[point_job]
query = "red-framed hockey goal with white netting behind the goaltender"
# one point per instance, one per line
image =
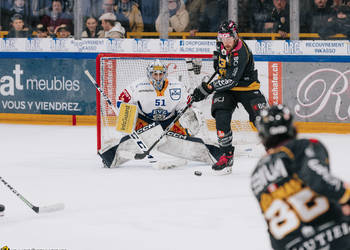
(114, 71)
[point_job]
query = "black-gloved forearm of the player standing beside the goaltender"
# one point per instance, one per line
(205, 88)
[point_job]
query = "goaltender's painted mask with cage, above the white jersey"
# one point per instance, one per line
(157, 73)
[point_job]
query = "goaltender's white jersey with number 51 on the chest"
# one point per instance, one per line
(156, 105)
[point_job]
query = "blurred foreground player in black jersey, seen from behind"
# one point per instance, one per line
(304, 205)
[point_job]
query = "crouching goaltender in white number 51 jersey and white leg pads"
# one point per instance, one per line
(159, 99)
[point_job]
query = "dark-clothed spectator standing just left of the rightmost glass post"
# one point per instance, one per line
(280, 17)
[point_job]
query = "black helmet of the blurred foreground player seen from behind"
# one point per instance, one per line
(275, 124)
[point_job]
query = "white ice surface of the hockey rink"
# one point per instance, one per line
(132, 207)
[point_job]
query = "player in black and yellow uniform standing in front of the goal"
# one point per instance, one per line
(238, 83)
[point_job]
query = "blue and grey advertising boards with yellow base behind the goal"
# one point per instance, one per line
(49, 87)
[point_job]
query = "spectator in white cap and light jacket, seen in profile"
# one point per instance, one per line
(111, 28)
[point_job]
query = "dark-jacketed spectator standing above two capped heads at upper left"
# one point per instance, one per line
(56, 17)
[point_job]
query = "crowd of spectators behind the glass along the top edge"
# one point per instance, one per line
(115, 18)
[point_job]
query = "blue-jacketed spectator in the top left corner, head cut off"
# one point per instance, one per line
(18, 7)
